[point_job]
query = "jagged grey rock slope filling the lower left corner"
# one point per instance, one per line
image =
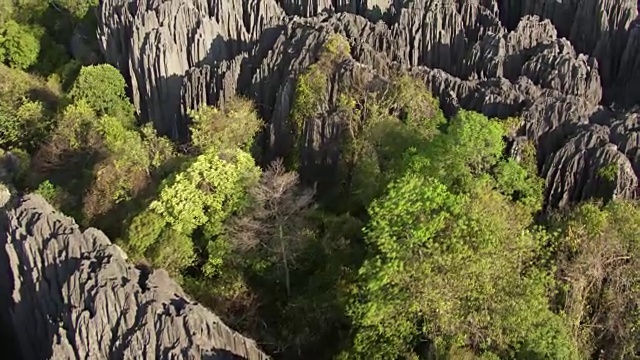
(70, 294)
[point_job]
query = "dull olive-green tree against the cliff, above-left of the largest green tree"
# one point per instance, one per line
(381, 126)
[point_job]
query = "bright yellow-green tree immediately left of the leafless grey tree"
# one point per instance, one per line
(203, 196)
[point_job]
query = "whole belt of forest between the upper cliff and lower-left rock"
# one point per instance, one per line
(426, 242)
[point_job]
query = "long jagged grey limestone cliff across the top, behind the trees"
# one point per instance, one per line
(569, 69)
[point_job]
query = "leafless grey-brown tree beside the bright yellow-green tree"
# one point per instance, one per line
(277, 218)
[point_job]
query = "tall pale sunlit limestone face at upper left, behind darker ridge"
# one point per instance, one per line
(155, 42)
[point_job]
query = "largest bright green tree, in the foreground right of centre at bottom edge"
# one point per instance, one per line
(453, 269)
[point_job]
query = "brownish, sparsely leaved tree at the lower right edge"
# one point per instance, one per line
(601, 269)
